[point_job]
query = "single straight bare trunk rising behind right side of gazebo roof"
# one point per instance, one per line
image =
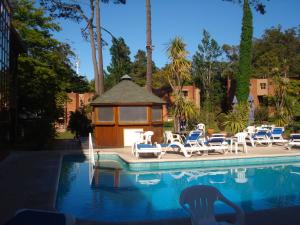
(149, 47)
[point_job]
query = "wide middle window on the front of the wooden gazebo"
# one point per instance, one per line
(136, 114)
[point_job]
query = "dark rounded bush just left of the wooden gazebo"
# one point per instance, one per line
(79, 123)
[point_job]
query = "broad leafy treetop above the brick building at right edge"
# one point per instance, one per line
(277, 53)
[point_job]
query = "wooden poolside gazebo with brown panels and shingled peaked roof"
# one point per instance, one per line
(123, 112)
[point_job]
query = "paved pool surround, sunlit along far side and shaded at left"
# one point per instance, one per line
(30, 180)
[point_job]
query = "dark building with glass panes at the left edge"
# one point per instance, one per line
(10, 48)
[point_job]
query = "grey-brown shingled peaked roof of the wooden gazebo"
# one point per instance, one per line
(127, 92)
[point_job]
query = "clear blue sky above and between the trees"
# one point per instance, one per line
(171, 18)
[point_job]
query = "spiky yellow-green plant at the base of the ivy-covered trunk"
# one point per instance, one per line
(237, 119)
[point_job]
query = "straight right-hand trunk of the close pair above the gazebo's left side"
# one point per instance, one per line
(99, 45)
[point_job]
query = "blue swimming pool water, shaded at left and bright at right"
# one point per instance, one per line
(121, 194)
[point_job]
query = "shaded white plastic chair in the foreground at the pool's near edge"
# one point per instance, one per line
(199, 202)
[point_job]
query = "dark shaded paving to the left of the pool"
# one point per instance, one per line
(28, 180)
